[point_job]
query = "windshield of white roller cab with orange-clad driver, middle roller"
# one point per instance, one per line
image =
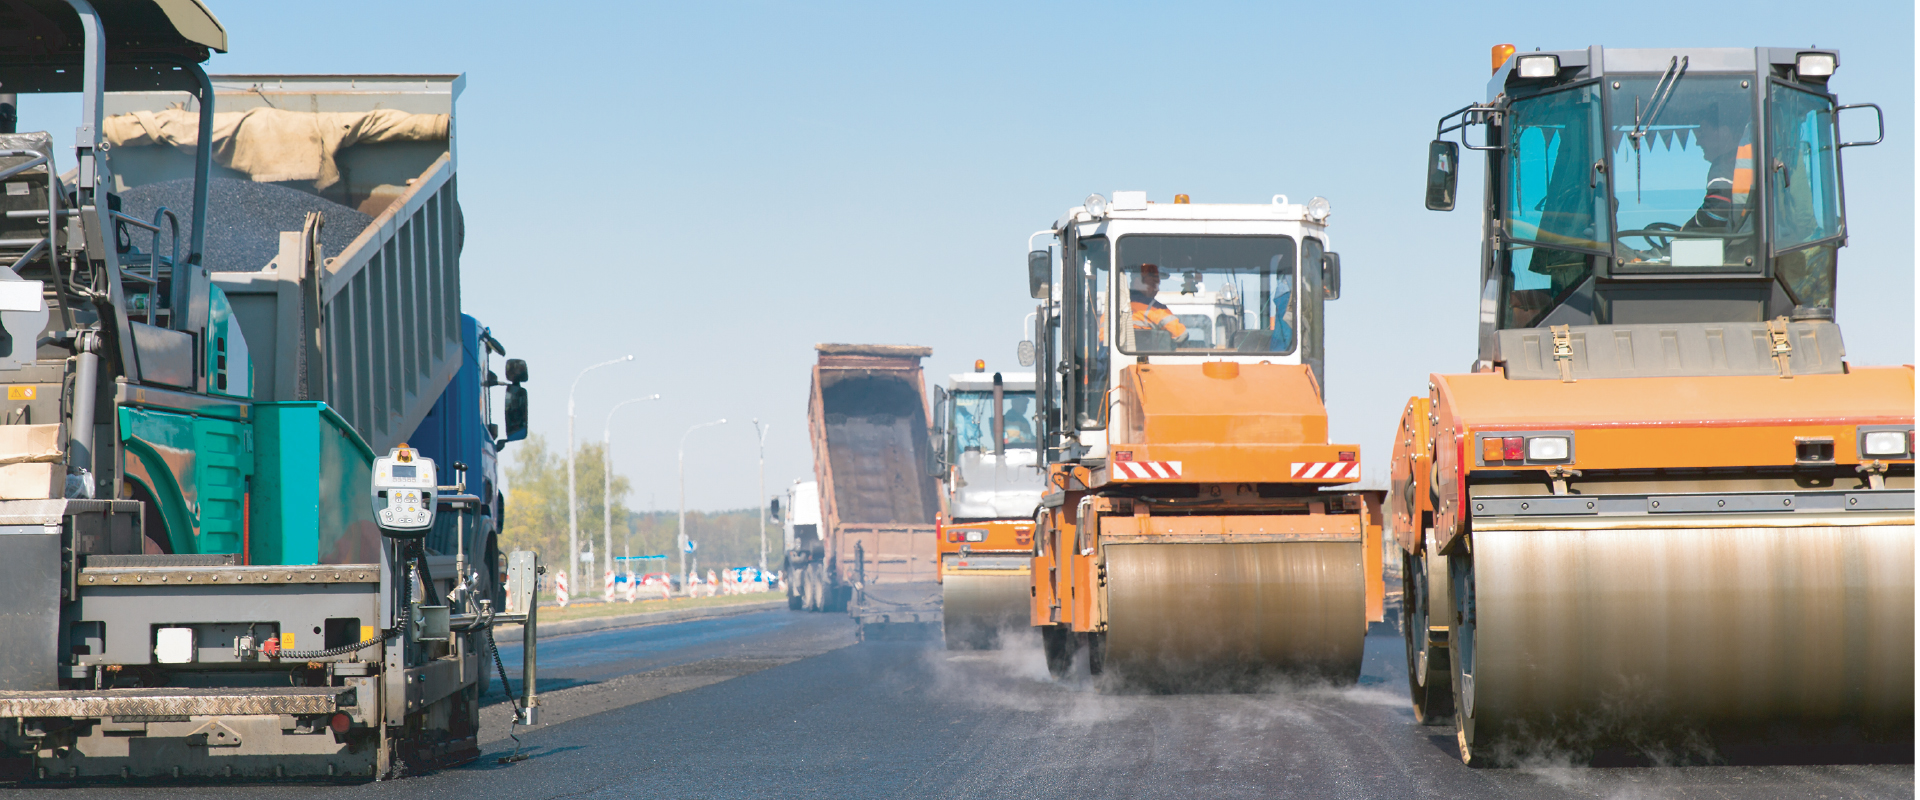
(1207, 294)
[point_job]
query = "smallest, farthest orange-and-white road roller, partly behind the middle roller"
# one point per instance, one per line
(986, 456)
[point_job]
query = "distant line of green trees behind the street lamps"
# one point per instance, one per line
(537, 515)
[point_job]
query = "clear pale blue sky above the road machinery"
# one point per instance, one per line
(717, 187)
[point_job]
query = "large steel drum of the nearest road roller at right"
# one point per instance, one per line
(1623, 634)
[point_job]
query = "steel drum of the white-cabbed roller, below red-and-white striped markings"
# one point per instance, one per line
(1218, 617)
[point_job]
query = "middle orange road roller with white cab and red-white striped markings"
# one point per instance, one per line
(1193, 534)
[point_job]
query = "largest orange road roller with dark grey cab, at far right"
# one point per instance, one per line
(1662, 509)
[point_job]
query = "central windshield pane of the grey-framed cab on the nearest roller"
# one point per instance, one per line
(1683, 153)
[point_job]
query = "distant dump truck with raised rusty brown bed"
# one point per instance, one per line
(875, 553)
